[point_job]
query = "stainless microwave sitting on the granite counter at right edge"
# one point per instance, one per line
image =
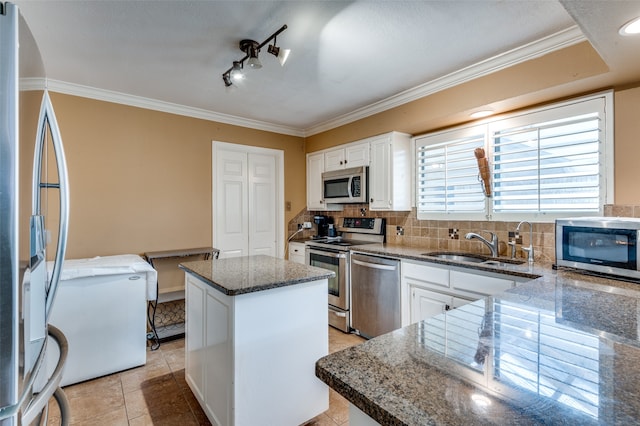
(600, 244)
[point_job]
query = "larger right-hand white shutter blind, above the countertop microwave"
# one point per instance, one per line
(549, 165)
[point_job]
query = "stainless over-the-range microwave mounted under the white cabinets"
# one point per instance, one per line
(346, 186)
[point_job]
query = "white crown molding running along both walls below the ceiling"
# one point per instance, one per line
(513, 57)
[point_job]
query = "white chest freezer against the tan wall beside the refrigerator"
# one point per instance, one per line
(101, 307)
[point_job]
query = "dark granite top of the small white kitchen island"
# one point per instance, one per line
(239, 275)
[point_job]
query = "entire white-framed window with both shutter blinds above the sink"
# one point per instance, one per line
(546, 163)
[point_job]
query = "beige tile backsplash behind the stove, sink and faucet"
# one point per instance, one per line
(404, 228)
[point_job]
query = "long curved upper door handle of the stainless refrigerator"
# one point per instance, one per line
(48, 120)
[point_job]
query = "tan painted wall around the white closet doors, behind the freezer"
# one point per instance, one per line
(140, 180)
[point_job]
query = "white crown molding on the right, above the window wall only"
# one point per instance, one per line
(538, 48)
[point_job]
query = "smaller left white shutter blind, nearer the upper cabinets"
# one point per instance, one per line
(447, 172)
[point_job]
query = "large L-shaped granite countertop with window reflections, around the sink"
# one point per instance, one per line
(563, 348)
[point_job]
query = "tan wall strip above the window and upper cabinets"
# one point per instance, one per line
(543, 79)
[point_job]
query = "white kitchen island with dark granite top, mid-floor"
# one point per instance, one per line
(255, 326)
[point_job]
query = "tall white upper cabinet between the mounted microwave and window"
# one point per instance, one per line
(390, 172)
